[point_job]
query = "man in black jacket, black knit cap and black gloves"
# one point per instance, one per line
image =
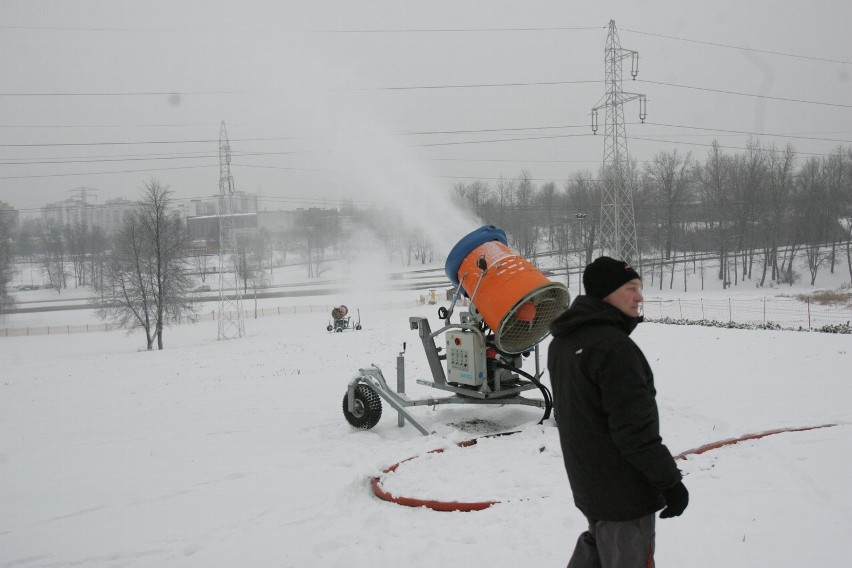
(604, 399)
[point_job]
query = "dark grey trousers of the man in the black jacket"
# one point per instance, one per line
(608, 544)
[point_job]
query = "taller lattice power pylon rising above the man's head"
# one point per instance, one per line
(618, 221)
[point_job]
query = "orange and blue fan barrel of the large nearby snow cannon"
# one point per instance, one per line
(508, 292)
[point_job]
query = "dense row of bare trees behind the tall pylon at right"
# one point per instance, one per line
(756, 210)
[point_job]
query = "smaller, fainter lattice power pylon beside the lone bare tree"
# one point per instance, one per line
(230, 300)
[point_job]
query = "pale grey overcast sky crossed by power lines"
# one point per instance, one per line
(390, 100)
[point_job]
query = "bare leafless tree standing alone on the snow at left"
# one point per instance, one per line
(147, 282)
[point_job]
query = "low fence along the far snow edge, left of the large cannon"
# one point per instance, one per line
(199, 317)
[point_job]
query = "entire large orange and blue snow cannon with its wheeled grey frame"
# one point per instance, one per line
(512, 305)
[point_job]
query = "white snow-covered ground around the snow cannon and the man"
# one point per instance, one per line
(236, 453)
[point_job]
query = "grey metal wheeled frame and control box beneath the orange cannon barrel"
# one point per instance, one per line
(501, 381)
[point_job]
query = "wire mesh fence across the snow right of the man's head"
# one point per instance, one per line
(784, 312)
